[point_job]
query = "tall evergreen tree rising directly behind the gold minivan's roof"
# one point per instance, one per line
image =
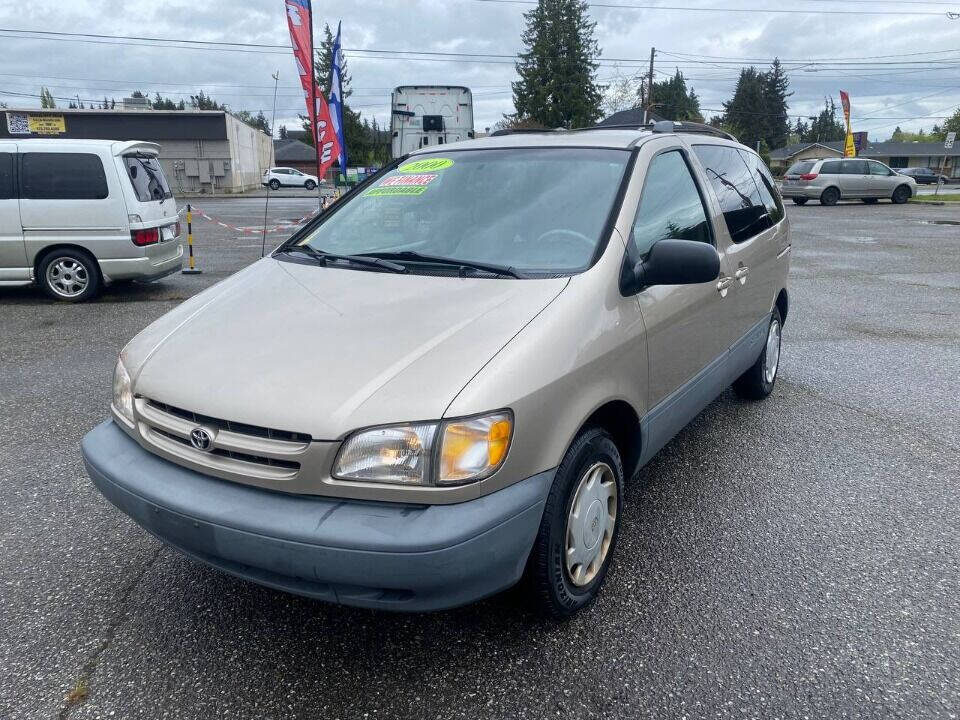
(557, 85)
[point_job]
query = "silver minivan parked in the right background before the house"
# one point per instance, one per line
(831, 180)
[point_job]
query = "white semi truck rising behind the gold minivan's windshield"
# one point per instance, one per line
(429, 115)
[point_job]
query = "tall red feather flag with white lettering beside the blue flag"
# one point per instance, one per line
(300, 21)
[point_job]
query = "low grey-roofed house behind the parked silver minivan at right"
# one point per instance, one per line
(897, 155)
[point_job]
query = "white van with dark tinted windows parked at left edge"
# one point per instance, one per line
(78, 214)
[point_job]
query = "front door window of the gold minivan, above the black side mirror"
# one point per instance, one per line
(670, 208)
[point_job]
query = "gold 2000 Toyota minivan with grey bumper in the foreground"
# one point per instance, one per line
(439, 387)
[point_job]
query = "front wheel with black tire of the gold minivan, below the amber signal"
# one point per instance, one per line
(578, 531)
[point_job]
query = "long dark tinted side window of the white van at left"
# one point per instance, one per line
(63, 176)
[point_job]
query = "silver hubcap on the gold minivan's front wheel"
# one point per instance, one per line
(590, 523)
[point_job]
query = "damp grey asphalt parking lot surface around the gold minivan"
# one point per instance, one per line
(794, 558)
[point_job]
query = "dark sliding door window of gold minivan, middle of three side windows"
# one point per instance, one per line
(732, 181)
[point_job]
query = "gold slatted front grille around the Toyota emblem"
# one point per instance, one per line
(237, 451)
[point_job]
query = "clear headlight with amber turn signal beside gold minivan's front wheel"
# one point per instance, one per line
(451, 452)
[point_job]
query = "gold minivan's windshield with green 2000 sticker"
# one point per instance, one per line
(528, 209)
